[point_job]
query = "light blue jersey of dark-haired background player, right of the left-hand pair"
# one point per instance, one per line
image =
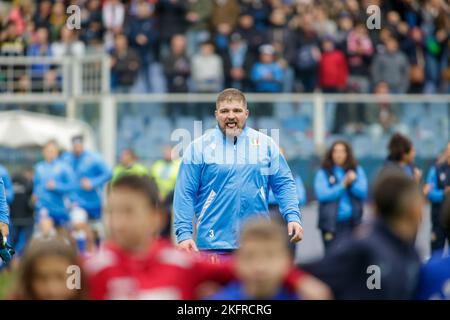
(88, 165)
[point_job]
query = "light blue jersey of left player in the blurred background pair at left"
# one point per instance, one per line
(52, 200)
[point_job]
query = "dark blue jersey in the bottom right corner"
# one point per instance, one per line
(435, 278)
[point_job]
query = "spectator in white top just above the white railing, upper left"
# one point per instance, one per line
(68, 44)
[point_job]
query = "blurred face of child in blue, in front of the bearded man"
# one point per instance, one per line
(261, 265)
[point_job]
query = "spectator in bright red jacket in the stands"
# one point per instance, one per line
(333, 70)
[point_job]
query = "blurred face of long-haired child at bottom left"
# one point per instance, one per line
(50, 277)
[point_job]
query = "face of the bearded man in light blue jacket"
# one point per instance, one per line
(231, 117)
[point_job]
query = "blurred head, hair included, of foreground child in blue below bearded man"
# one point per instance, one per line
(263, 259)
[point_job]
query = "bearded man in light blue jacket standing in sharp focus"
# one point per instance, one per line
(224, 179)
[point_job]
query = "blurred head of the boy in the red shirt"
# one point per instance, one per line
(133, 212)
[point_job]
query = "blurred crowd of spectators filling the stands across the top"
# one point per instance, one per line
(253, 45)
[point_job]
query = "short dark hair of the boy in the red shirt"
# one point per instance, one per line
(142, 184)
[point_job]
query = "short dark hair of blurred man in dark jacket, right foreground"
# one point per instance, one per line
(390, 191)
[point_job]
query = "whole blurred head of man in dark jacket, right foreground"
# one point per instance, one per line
(399, 202)
